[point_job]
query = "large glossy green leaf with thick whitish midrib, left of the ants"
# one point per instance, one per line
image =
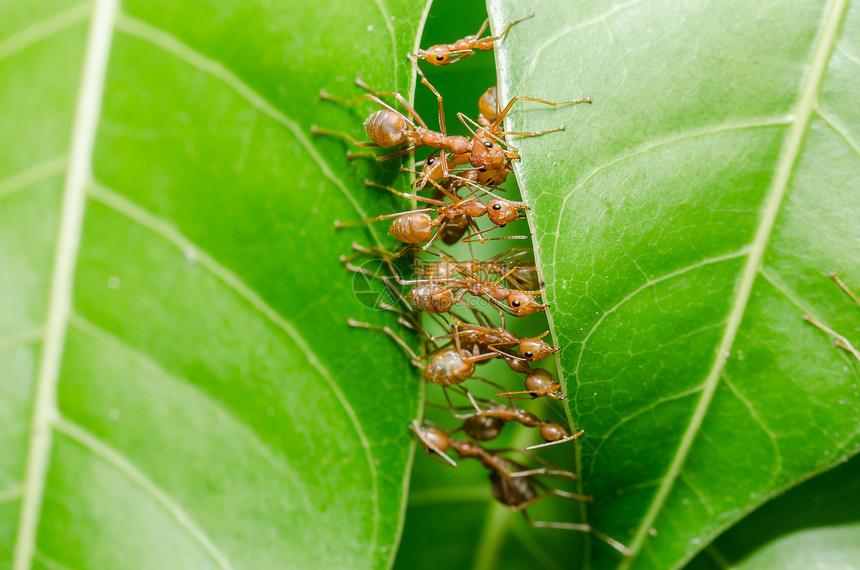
(179, 387)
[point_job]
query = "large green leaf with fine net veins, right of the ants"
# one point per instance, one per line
(685, 222)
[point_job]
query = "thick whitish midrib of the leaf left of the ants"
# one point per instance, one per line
(87, 112)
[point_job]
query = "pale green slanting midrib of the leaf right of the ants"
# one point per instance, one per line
(788, 157)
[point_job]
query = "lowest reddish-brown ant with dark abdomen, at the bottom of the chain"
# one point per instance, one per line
(512, 484)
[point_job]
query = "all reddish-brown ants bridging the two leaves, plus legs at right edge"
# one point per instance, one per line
(473, 167)
